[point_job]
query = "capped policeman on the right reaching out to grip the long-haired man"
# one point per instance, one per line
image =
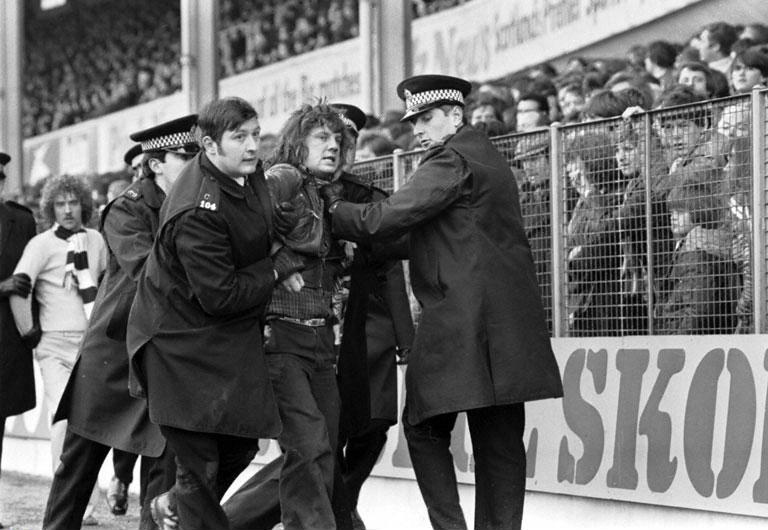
(482, 344)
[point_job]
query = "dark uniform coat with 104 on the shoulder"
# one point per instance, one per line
(195, 327)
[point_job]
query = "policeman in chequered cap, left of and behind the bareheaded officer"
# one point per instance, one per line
(96, 402)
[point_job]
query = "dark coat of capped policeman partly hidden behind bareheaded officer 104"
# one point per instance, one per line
(96, 401)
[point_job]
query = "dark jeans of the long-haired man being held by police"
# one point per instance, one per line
(301, 362)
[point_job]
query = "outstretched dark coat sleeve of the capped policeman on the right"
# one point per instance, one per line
(436, 184)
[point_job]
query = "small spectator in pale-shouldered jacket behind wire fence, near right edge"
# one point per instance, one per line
(704, 282)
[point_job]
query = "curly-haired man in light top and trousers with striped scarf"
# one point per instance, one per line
(64, 265)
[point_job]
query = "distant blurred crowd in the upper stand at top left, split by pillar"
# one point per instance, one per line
(84, 61)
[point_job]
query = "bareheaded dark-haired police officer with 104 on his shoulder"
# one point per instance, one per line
(195, 327)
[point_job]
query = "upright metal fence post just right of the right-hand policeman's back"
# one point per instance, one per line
(557, 214)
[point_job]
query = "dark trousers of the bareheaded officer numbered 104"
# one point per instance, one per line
(206, 465)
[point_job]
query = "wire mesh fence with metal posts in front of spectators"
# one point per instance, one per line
(654, 224)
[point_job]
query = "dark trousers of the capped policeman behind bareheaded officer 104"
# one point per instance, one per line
(78, 471)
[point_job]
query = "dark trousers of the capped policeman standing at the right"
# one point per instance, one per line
(499, 453)
